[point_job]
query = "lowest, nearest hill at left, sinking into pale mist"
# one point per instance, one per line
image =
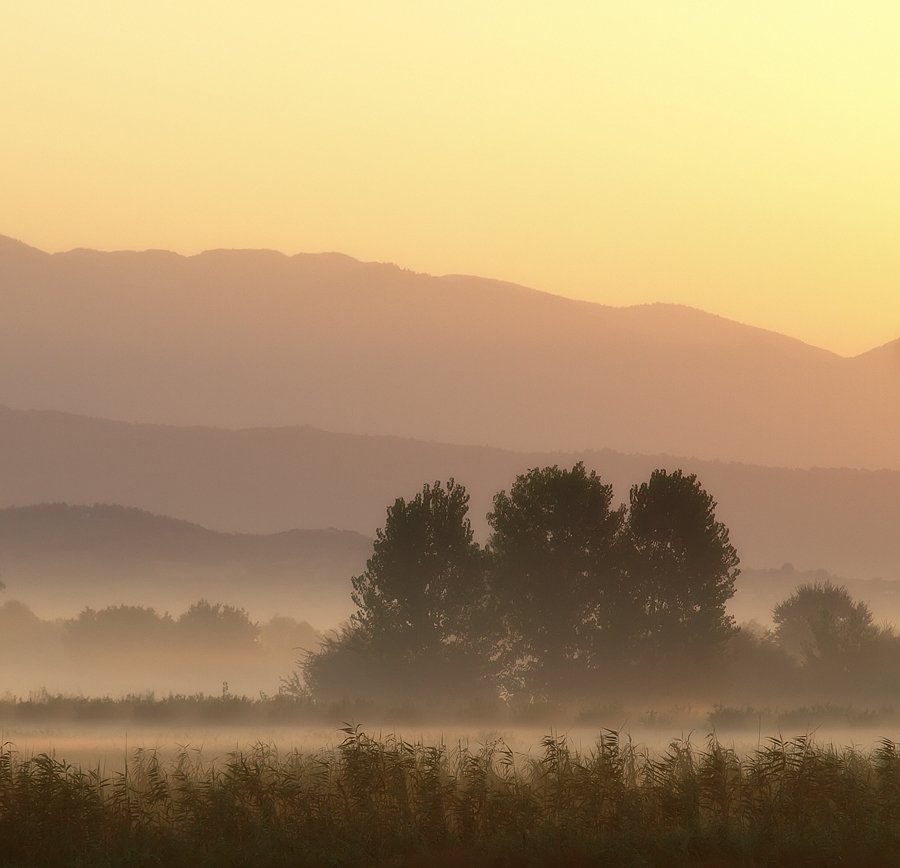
(59, 559)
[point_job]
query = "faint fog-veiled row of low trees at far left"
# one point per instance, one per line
(125, 648)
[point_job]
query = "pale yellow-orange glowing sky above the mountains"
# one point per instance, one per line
(736, 157)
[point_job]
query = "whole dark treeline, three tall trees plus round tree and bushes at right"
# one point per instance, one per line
(575, 599)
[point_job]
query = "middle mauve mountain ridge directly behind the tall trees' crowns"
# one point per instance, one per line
(270, 480)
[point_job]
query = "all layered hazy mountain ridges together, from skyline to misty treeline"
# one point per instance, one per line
(246, 362)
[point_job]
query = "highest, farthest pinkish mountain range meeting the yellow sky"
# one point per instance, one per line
(251, 338)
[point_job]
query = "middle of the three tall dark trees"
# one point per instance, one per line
(555, 574)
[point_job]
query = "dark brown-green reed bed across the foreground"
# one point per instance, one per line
(373, 801)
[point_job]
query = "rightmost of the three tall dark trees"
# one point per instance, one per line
(683, 568)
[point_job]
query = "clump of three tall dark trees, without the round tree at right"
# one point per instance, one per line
(570, 593)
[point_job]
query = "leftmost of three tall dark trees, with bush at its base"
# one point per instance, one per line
(419, 603)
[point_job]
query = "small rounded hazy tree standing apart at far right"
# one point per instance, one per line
(820, 624)
